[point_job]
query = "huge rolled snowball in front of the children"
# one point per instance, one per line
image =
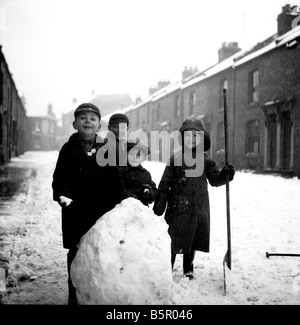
(124, 259)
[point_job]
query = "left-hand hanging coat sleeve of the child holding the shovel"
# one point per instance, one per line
(161, 200)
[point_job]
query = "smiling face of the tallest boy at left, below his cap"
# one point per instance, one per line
(87, 124)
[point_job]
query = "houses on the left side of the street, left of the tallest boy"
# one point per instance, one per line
(18, 131)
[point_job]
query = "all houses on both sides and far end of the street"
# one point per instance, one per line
(263, 89)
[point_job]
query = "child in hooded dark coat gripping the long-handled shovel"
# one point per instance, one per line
(186, 198)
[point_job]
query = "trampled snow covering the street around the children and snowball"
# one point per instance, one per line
(265, 214)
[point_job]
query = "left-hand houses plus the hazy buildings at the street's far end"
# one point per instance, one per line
(20, 132)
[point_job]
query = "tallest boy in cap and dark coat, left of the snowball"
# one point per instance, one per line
(83, 189)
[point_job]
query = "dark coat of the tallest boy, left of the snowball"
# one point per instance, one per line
(94, 190)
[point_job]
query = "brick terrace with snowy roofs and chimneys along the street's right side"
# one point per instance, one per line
(263, 89)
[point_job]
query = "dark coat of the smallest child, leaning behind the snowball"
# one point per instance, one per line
(139, 184)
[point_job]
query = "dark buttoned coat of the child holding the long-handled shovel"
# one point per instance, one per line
(187, 201)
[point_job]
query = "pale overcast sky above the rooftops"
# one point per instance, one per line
(60, 49)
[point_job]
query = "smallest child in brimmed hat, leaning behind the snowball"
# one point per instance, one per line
(138, 181)
